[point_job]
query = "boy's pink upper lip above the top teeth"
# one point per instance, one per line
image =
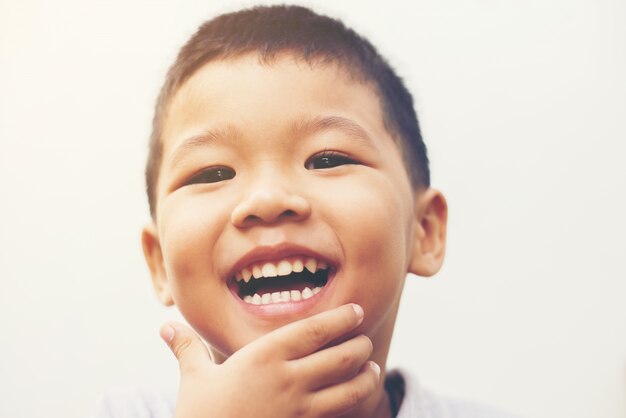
(271, 253)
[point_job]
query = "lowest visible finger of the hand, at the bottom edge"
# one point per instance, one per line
(339, 399)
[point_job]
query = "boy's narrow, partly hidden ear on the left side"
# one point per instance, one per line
(154, 257)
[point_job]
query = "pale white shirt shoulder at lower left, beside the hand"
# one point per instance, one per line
(136, 402)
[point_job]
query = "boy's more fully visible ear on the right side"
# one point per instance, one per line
(429, 246)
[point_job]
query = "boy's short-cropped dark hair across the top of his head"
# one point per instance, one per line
(270, 30)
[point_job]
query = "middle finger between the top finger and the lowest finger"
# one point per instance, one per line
(335, 364)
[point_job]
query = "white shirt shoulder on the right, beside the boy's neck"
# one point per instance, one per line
(421, 402)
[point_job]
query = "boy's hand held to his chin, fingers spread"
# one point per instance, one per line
(286, 373)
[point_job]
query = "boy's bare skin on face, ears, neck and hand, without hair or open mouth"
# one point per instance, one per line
(360, 213)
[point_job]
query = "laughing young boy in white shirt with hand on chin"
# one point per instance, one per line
(289, 192)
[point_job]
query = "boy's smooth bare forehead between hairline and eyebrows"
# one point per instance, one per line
(243, 93)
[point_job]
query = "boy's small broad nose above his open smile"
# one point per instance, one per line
(270, 204)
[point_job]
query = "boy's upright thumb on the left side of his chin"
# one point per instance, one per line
(186, 346)
